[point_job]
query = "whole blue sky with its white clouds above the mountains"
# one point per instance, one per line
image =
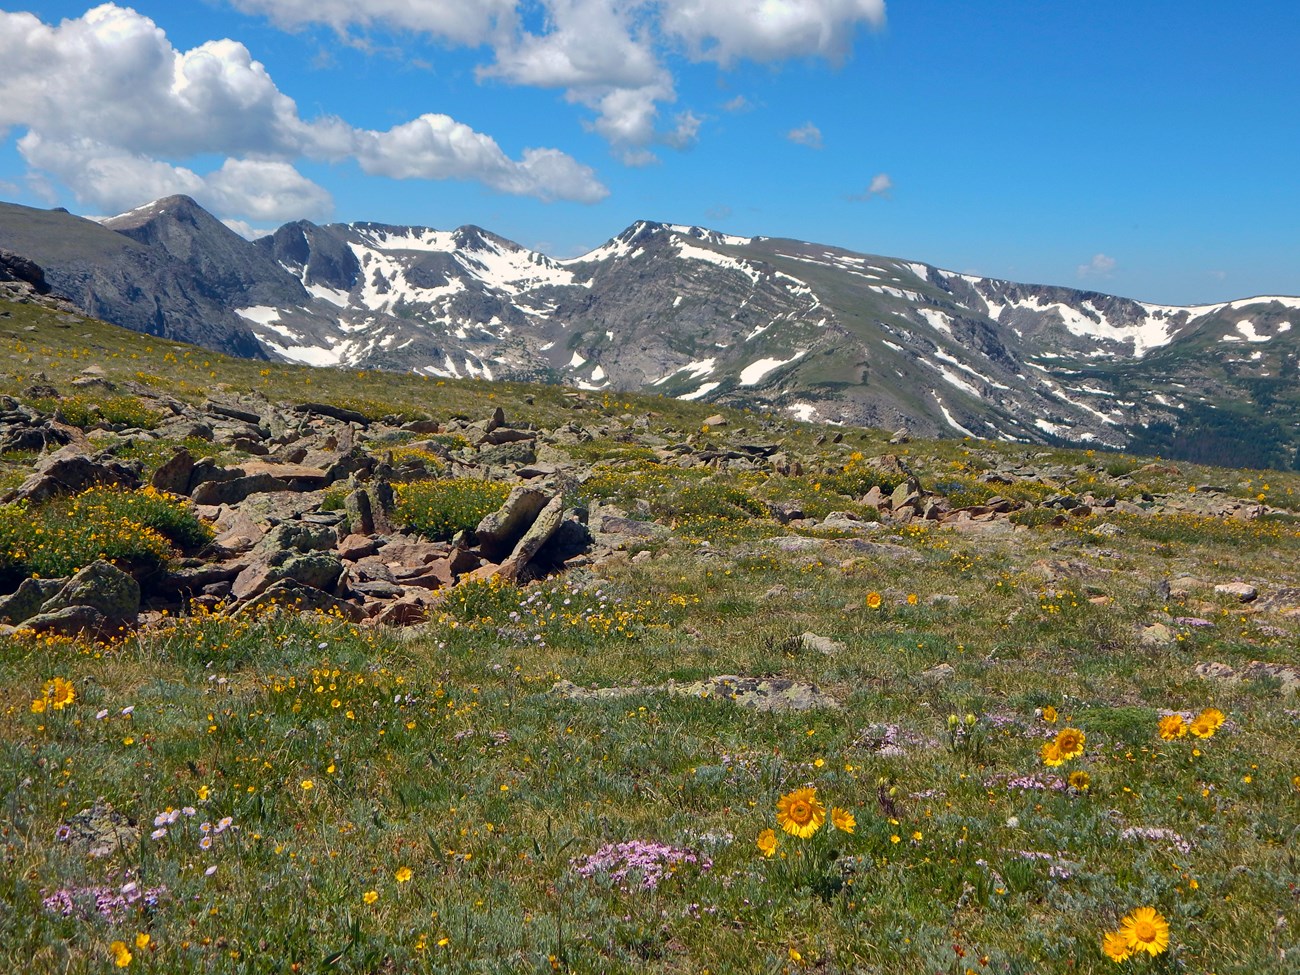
(1150, 150)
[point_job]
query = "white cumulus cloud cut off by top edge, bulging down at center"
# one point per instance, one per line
(610, 57)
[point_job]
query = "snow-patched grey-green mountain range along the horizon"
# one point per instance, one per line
(805, 330)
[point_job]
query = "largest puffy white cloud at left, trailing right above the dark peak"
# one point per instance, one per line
(111, 109)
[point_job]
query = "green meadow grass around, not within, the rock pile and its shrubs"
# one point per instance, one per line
(345, 757)
